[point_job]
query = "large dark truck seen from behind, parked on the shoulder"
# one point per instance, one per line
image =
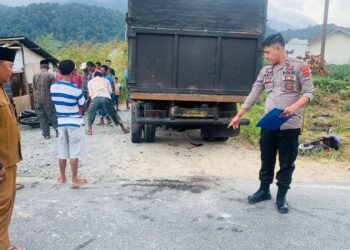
(190, 62)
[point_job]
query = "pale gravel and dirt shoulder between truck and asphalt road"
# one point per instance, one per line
(112, 156)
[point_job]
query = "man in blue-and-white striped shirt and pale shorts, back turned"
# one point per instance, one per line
(69, 100)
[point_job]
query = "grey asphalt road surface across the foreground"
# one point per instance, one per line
(178, 213)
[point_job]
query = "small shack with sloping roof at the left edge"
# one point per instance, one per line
(27, 64)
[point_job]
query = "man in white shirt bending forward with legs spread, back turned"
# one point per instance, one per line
(100, 93)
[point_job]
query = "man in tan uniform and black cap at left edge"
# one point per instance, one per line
(10, 151)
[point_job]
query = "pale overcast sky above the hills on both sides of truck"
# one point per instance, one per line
(298, 13)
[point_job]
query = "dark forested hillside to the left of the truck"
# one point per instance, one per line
(67, 22)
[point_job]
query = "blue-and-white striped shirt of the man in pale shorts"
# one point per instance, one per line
(67, 99)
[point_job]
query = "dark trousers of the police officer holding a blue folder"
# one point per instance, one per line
(285, 143)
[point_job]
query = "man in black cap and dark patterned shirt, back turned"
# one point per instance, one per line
(44, 107)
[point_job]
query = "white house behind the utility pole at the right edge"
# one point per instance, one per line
(337, 46)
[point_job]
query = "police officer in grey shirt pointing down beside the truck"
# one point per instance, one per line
(288, 85)
